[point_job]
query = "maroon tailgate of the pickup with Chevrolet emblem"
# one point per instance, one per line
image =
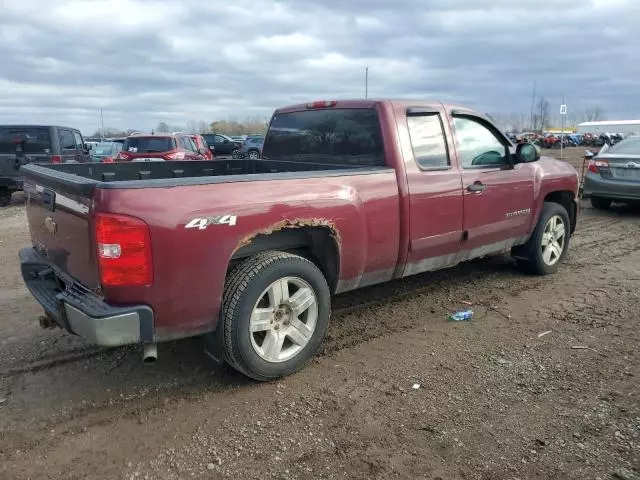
(61, 227)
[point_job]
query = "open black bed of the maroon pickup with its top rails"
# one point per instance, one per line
(81, 179)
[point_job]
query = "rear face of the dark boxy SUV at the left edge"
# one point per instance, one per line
(20, 145)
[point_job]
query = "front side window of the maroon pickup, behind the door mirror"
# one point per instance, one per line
(477, 144)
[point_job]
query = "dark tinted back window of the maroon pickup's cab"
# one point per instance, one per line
(343, 136)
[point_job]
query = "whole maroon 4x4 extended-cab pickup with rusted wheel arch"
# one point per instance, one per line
(249, 252)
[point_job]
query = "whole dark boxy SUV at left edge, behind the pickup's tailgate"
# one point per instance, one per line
(22, 144)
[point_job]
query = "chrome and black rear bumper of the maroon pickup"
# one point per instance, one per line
(80, 311)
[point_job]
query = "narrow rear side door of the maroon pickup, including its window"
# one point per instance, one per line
(435, 187)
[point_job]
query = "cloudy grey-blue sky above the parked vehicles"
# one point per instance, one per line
(147, 61)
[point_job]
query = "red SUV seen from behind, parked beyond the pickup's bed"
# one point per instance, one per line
(160, 147)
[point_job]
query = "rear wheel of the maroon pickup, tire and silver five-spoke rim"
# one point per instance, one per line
(283, 340)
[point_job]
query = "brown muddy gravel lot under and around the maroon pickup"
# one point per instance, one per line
(496, 399)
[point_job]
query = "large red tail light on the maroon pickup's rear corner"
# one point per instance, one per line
(124, 251)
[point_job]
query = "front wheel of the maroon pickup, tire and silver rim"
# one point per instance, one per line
(533, 257)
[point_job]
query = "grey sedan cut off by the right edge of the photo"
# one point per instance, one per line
(614, 174)
